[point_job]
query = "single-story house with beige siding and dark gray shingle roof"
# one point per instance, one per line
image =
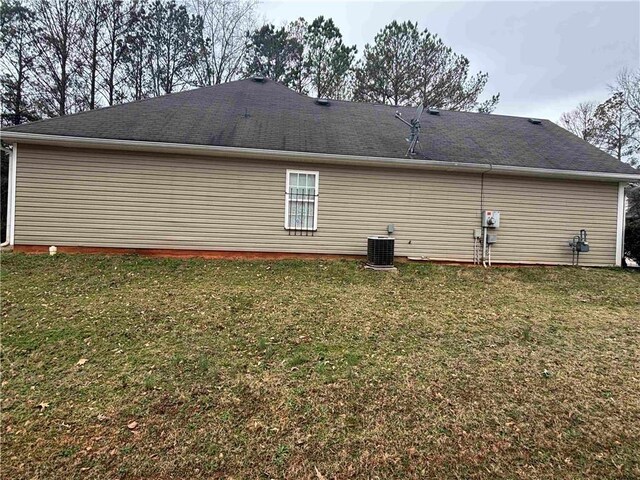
(251, 167)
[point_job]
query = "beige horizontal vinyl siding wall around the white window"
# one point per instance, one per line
(136, 200)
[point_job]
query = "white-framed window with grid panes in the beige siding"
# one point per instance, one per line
(301, 203)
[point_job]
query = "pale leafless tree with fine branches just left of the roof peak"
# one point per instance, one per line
(226, 24)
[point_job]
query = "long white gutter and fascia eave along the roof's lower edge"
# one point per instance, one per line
(262, 154)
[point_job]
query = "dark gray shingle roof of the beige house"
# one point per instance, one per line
(269, 116)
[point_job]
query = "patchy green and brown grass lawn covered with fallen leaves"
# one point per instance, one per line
(316, 370)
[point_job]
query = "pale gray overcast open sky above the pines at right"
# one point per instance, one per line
(543, 57)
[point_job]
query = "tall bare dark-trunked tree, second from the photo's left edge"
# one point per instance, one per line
(58, 29)
